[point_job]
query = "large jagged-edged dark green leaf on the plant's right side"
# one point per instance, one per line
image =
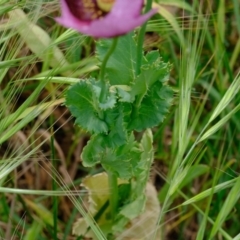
(152, 96)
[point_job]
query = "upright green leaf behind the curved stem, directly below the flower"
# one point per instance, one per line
(121, 65)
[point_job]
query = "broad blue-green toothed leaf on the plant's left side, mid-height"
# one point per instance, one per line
(82, 101)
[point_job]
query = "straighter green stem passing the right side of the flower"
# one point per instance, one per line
(141, 40)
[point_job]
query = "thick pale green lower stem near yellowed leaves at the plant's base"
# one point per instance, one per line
(113, 186)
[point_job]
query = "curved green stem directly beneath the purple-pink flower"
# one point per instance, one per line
(103, 68)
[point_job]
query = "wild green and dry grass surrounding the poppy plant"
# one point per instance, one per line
(197, 148)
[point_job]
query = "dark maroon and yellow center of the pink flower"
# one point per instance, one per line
(88, 10)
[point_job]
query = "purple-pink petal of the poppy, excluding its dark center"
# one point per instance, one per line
(124, 17)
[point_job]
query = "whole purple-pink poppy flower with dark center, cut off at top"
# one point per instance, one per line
(103, 18)
